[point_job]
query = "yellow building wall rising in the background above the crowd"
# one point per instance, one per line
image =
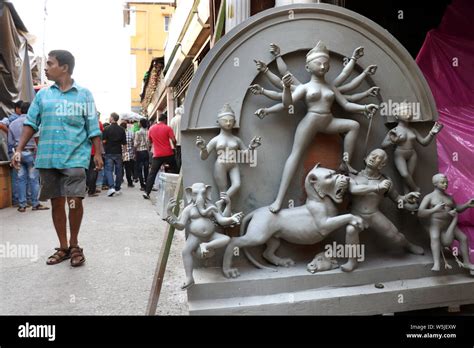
(149, 40)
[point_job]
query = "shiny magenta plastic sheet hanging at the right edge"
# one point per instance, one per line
(447, 61)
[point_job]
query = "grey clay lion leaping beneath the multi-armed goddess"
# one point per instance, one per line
(305, 225)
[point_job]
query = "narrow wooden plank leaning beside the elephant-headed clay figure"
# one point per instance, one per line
(164, 254)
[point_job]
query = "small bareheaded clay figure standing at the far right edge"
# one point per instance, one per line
(442, 211)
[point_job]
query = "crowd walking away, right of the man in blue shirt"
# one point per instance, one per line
(130, 148)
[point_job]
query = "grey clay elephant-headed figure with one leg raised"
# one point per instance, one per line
(198, 218)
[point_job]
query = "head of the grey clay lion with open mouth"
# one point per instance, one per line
(321, 182)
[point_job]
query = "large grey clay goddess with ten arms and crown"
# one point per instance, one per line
(319, 96)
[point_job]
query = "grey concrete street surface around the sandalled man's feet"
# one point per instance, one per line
(121, 237)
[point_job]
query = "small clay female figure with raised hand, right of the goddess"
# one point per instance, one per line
(403, 136)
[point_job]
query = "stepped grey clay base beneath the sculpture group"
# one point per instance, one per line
(408, 284)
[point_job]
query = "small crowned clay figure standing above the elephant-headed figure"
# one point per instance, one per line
(229, 149)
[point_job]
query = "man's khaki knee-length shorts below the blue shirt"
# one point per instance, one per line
(70, 182)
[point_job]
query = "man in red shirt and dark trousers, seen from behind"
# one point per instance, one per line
(160, 135)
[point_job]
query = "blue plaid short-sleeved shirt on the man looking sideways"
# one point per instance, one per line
(66, 122)
